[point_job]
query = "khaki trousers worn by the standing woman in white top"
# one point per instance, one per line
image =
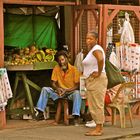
(96, 90)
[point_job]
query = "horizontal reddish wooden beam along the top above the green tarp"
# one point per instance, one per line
(33, 2)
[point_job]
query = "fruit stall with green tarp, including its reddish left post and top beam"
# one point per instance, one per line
(23, 25)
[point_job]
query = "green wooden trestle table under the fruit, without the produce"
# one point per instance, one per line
(21, 74)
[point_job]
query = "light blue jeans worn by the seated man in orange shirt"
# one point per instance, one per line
(48, 92)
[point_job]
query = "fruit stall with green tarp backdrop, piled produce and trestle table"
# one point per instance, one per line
(29, 46)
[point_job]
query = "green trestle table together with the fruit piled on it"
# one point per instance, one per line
(23, 61)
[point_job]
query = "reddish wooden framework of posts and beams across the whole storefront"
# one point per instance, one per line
(101, 14)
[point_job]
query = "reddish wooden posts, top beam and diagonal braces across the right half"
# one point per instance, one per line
(103, 18)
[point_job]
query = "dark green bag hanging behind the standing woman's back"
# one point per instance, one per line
(114, 75)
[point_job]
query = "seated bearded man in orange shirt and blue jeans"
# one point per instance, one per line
(65, 83)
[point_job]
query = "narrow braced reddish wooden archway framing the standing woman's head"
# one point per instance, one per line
(78, 13)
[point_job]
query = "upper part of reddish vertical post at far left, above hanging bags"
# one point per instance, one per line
(1, 35)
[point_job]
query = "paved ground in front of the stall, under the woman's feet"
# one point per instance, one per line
(43, 130)
